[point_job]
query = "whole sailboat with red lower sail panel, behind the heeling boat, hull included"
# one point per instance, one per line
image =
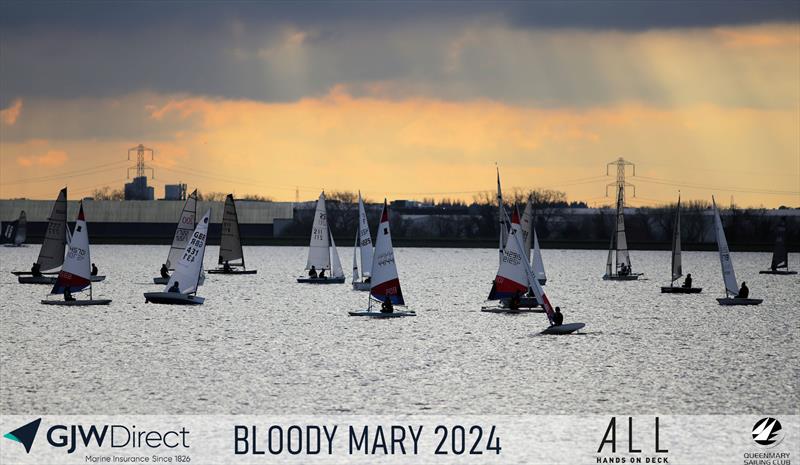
(512, 278)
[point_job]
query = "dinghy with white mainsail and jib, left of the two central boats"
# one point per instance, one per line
(321, 250)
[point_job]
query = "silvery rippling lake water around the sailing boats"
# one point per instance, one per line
(264, 344)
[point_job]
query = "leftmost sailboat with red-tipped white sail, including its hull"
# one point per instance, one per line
(76, 274)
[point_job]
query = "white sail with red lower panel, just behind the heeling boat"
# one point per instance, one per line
(511, 277)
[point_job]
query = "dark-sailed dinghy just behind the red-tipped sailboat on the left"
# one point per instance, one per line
(51, 254)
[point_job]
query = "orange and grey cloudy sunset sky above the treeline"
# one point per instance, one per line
(406, 99)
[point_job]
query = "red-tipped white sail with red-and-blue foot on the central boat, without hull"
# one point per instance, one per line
(385, 281)
